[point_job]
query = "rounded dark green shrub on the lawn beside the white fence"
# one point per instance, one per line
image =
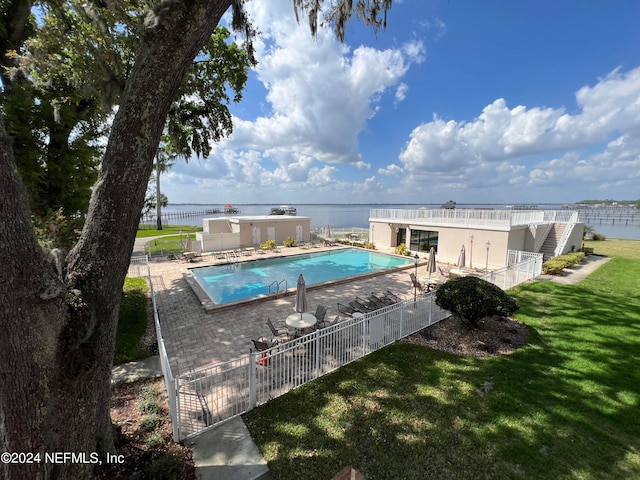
(472, 299)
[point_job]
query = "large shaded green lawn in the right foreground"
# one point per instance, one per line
(564, 407)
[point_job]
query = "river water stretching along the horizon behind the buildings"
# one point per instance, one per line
(611, 224)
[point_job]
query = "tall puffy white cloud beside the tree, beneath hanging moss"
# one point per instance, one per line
(321, 93)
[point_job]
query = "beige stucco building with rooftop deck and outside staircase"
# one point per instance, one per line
(487, 235)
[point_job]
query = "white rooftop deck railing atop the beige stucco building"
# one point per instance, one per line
(471, 217)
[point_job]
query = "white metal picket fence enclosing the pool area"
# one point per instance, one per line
(200, 399)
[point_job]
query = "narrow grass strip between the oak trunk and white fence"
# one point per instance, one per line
(132, 322)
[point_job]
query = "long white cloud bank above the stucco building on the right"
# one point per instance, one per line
(509, 138)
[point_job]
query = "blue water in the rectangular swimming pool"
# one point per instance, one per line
(229, 283)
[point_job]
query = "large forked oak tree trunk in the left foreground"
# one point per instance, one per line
(58, 322)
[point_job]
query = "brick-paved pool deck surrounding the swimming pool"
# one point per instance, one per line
(196, 338)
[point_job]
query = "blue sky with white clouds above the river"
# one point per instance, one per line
(476, 101)
